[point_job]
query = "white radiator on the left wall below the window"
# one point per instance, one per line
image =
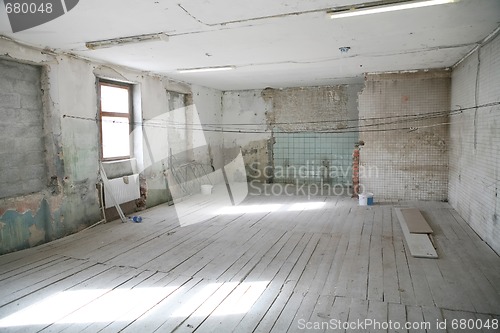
(124, 189)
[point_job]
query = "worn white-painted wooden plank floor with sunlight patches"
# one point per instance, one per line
(281, 264)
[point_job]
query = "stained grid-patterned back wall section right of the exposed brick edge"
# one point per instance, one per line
(403, 122)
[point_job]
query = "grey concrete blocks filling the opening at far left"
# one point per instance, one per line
(22, 157)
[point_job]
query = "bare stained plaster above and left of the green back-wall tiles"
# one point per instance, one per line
(249, 117)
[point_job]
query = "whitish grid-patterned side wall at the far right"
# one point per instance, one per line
(474, 178)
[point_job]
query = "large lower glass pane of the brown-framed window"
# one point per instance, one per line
(115, 137)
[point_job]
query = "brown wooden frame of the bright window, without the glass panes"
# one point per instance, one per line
(128, 116)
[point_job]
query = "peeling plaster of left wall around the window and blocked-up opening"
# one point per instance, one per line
(68, 200)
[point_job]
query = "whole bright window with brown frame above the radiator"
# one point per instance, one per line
(115, 114)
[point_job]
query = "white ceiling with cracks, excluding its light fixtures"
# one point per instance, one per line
(272, 43)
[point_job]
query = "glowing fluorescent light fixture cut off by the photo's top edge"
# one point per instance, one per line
(381, 7)
